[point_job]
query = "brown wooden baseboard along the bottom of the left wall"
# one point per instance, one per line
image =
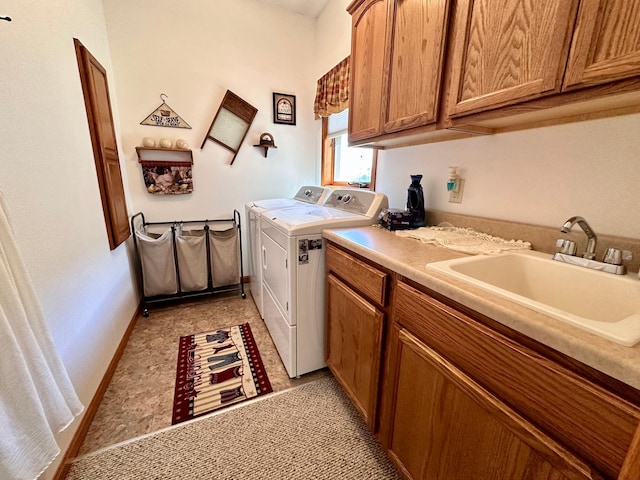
(92, 408)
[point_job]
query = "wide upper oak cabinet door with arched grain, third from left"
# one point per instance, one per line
(508, 51)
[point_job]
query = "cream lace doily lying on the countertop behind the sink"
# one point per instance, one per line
(466, 240)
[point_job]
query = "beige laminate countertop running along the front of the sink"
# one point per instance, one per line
(408, 257)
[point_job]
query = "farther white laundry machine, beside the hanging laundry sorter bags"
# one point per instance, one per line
(306, 195)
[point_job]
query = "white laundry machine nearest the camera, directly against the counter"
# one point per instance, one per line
(293, 271)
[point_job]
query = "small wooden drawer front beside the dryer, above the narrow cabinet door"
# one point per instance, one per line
(367, 280)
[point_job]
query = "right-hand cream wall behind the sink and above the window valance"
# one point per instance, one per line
(539, 176)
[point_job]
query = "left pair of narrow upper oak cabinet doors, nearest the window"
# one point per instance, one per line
(397, 55)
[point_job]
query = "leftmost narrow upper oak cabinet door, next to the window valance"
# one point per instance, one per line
(367, 65)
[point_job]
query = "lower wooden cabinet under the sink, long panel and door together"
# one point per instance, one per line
(514, 412)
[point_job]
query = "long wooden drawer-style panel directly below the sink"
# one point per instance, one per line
(592, 422)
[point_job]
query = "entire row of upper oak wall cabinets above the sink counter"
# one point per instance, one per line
(430, 70)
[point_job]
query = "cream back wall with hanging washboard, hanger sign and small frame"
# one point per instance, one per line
(193, 52)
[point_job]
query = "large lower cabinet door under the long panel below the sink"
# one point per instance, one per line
(460, 430)
